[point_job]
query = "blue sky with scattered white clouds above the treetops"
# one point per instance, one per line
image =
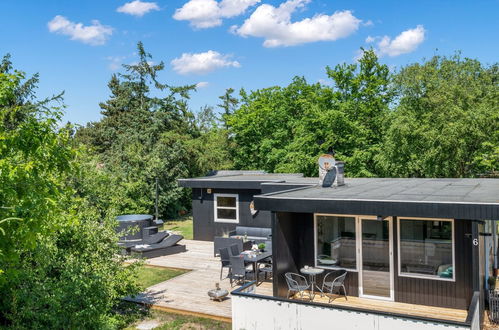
(230, 43)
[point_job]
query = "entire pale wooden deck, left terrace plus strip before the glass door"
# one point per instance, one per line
(187, 293)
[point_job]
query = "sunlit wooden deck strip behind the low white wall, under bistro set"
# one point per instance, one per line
(450, 314)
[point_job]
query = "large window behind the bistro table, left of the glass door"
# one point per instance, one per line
(335, 242)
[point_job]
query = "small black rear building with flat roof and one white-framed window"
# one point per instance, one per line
(223, 200)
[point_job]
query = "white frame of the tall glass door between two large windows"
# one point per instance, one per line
(390, 256)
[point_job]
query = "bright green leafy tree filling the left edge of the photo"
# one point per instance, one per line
(59, 258)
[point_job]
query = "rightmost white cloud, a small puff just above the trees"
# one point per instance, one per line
(404, 43)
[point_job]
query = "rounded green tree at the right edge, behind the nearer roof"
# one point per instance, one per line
(446, 120)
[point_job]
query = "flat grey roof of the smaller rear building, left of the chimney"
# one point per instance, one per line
(244, 180)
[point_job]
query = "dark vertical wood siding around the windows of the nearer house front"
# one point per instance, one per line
(293, 244)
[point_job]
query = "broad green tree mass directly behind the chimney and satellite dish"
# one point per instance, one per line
(285, 129)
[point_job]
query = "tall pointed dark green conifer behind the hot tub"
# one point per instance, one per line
(142, 137)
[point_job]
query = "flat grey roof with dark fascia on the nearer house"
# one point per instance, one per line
(476, 199)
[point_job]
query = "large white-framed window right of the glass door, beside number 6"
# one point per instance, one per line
(426, 248)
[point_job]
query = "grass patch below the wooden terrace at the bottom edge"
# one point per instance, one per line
(138, 314)
